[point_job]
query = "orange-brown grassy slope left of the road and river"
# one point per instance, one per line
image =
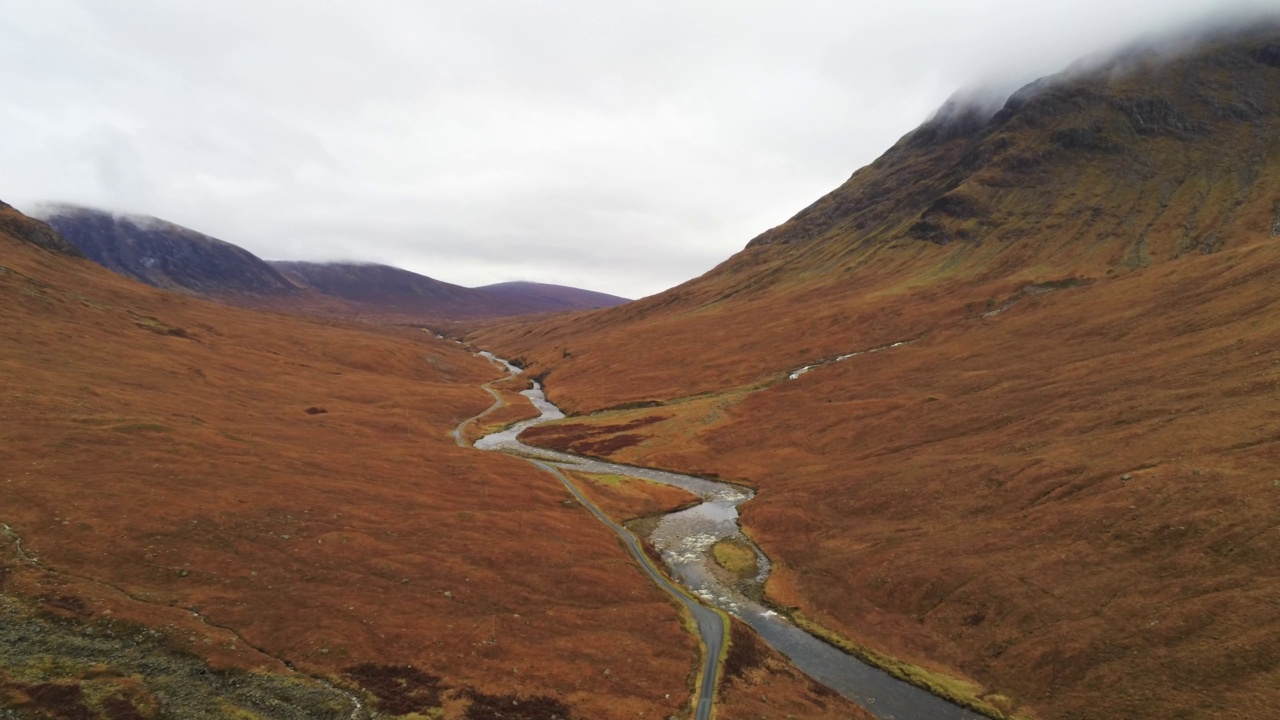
(158, 457)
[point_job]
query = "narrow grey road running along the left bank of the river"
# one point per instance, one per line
(712, 625)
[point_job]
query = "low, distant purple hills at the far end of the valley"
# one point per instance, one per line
(403, 291)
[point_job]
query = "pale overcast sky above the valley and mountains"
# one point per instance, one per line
(616, 147)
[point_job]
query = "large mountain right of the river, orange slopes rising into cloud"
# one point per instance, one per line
(1005, 395)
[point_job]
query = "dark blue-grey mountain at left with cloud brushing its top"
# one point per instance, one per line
(163, 254)
